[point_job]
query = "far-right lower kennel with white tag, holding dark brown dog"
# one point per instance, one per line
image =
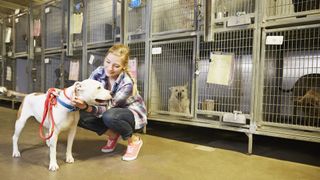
(283, 64)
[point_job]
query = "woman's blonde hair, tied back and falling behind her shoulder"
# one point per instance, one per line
(123, 52)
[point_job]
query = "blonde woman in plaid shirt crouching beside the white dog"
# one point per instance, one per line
(126, 113)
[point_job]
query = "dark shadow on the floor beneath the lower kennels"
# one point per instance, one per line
(277, 148)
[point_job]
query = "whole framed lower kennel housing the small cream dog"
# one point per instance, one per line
(172, 64)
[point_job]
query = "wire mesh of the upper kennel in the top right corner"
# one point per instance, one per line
(278, 8)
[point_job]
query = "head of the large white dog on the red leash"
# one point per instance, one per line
(92, 92)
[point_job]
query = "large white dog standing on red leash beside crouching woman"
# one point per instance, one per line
(65, 116)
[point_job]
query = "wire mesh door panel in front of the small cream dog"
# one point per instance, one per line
(170, 68)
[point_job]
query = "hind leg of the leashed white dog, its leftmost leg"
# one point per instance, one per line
(23, 115)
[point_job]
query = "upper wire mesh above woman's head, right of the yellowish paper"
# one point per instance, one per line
(100, 21)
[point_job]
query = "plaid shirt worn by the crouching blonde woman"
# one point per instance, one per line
(121, 92)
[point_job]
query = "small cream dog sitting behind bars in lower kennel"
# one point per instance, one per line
(179, 101)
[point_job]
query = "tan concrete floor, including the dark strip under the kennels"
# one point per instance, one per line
(169, 152)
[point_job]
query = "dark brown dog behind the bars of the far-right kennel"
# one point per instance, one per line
(306, 94)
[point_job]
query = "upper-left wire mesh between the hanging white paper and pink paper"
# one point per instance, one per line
(21, 33)
